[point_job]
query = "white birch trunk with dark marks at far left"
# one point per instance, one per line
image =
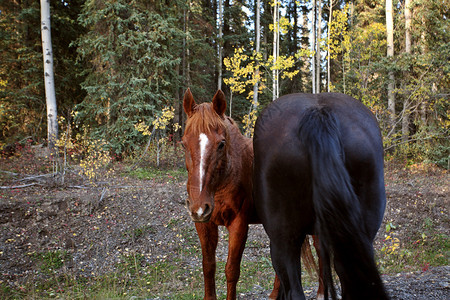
(50, 96)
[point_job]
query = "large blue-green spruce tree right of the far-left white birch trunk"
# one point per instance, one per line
(127, 47)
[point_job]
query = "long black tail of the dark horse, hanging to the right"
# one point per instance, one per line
(339, 222)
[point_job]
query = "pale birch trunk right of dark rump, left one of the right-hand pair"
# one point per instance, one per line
(390, 54)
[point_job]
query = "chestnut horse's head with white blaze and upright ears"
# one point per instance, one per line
(205, 142)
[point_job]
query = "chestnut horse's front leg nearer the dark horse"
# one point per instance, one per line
(238, 236)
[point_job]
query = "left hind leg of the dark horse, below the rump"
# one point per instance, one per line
(286, 261)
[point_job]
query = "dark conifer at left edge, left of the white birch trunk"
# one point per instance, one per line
(22, 100)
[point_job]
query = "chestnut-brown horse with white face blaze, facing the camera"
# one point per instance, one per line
(219, 161)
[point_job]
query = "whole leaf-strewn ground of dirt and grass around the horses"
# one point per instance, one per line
(130, 237)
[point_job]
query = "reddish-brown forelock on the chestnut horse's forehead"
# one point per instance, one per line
(204, 119)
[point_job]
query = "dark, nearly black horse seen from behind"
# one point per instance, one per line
(318, 169)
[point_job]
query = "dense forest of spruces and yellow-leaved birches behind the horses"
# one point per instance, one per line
(121, 67)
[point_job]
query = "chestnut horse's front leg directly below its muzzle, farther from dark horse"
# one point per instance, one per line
(208, 234)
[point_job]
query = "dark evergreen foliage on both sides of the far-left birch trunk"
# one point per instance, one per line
(22, 99)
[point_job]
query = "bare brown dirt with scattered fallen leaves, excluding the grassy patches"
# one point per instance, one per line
(97, 225)
